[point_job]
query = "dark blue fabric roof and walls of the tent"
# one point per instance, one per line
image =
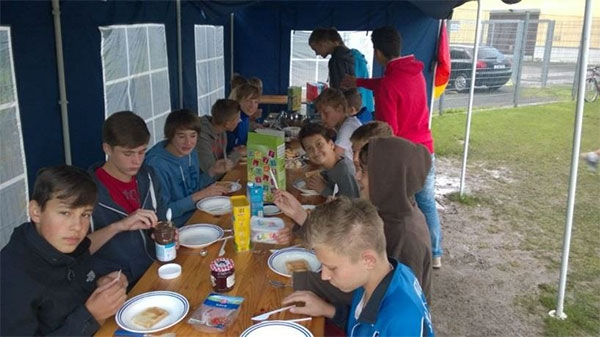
(261, 48)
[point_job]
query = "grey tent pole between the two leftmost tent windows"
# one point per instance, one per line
(62, 89)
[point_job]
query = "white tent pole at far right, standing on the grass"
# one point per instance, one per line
(585, 47)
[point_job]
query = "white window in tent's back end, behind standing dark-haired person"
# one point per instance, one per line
(305, 66)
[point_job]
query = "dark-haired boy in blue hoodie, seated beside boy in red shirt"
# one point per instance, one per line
(175, 161)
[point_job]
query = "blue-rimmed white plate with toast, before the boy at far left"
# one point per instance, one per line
(177, 306)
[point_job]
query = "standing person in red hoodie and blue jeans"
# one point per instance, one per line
(401, 101)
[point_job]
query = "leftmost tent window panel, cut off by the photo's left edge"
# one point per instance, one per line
(13, 170)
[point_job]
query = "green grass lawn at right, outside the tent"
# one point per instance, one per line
(534, 144)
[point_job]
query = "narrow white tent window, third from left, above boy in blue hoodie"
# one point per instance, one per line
(210, 66)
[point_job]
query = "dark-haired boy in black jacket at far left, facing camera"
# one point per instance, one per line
(48, 285)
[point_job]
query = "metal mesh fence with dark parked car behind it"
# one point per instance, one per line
(542, 60)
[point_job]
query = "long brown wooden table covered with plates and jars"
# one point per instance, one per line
(252, 276)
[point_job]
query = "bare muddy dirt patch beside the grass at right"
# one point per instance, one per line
(484, 272)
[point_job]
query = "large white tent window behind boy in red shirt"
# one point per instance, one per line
(136, 73)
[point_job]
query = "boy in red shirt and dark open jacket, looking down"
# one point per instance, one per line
(129, 203)
